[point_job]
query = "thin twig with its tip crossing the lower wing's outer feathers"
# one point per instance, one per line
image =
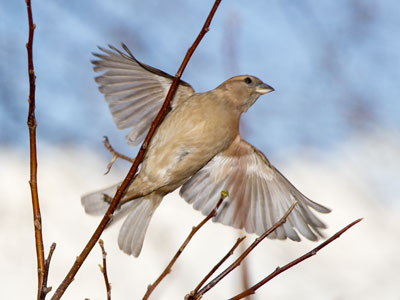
(237, 262)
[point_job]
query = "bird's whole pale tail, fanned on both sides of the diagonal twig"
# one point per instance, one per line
(139, 211)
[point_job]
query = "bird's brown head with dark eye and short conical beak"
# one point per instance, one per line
(242, 91)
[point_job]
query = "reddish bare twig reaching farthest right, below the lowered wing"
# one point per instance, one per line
(279, 270)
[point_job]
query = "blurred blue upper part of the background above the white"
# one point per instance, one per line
(334, 65)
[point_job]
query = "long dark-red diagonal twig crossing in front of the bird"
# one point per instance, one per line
(132, 171)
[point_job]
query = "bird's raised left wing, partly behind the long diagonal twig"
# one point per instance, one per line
(134, 91)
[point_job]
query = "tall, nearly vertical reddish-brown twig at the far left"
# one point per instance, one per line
(31, 122)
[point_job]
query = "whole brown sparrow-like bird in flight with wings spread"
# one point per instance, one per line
(197, 148)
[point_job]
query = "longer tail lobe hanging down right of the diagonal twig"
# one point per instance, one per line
(133, 231)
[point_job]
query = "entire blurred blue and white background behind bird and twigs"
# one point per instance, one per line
(332, 127)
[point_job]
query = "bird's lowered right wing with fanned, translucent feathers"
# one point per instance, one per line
(259, 194)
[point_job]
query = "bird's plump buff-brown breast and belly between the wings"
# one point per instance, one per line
(188, 138)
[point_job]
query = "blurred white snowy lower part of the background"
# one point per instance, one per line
(359, 179)
